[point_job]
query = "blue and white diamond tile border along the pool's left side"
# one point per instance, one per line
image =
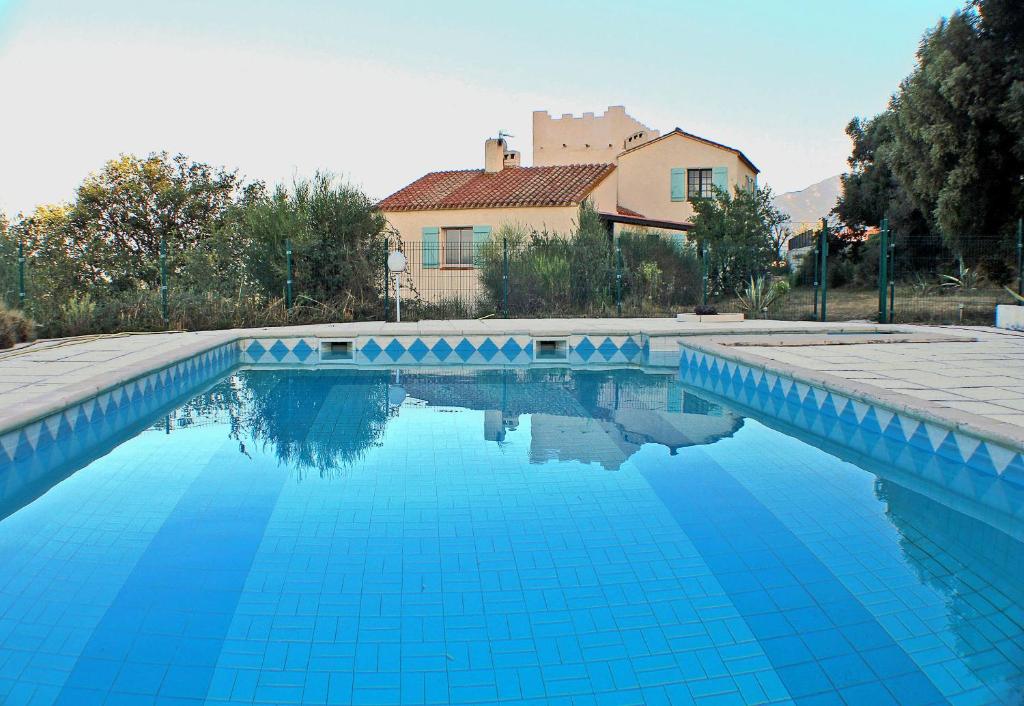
(62, 436)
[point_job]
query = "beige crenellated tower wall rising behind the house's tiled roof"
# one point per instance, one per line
(587, 140)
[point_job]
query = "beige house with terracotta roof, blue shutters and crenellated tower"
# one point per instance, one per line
(635, 177)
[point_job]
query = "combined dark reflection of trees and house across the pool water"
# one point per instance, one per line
(324, 421)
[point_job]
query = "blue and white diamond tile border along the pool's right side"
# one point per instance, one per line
(951, 458)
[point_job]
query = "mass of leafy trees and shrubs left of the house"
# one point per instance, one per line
(226, 250)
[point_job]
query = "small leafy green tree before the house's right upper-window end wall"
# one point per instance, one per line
(739, 233)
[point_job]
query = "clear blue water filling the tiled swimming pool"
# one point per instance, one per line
(504, 536)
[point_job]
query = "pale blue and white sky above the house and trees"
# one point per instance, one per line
(382, 93)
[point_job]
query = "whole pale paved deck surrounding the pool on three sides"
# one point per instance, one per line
(966, 376)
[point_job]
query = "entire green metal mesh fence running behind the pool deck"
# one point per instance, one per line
(228, 284)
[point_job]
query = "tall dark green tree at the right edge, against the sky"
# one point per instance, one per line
(948, 156)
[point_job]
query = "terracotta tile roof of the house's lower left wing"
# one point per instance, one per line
(559, 186)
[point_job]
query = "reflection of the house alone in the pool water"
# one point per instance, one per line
(590, 417)
